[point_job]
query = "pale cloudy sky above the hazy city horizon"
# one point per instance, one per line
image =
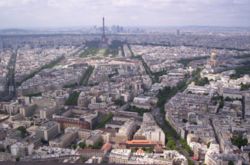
(78, 13)
